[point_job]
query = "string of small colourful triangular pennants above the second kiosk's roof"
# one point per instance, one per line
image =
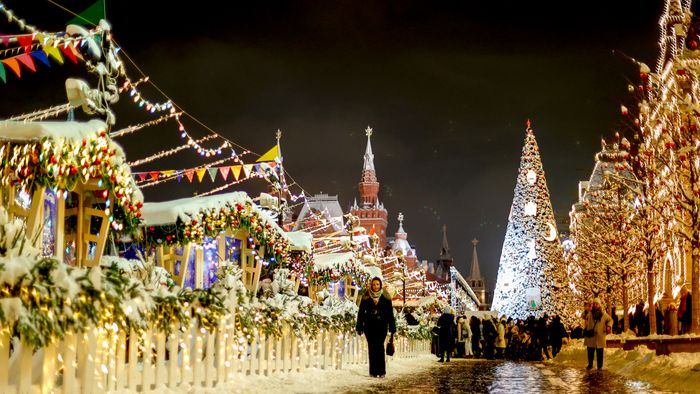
(213, 173)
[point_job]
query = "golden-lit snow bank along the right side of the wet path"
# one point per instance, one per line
(676, 372)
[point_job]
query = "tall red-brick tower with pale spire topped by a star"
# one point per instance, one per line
(371, 212)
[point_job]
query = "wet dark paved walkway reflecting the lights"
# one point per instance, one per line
(482, 376)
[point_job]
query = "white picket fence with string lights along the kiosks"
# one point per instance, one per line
(102, 361)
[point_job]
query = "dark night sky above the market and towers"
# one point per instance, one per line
(447, 88)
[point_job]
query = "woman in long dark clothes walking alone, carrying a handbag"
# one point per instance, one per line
(374, 319)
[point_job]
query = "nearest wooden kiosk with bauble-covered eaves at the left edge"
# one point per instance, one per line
(69, 182)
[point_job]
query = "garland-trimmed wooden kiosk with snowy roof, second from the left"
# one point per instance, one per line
(192, 236)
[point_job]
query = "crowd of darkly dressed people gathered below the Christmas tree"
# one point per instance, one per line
(493, 338)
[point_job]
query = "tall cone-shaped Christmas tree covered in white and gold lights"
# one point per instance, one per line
(531, 254)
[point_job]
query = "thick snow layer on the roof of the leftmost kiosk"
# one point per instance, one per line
(33, 131)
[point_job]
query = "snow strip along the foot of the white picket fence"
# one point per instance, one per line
(313, 380)
